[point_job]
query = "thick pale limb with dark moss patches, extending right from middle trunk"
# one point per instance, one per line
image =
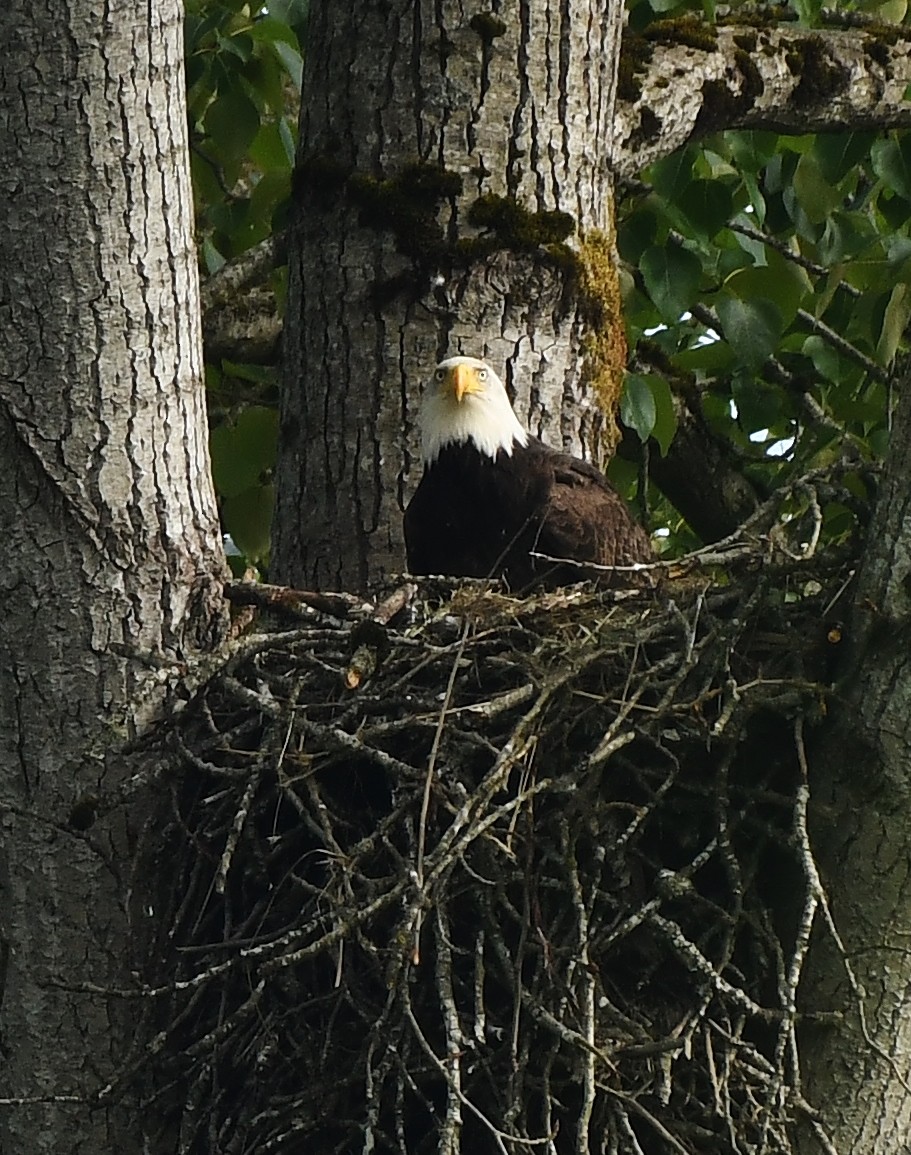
(786, 80)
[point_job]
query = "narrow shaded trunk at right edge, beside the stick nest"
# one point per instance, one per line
(858, 1072)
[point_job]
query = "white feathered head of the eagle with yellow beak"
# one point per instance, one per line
(466, 401)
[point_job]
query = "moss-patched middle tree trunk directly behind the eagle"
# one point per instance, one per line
(453, 196)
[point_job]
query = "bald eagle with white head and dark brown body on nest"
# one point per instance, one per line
(492, 496)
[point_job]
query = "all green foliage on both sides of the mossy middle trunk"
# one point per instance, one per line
(770, 277)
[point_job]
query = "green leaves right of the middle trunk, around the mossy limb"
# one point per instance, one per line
(771, 287)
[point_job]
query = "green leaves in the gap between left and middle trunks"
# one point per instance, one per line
(244, 69)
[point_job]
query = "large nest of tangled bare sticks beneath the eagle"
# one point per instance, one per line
(492, 875)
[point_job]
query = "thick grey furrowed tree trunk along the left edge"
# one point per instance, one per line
(111, 557)
